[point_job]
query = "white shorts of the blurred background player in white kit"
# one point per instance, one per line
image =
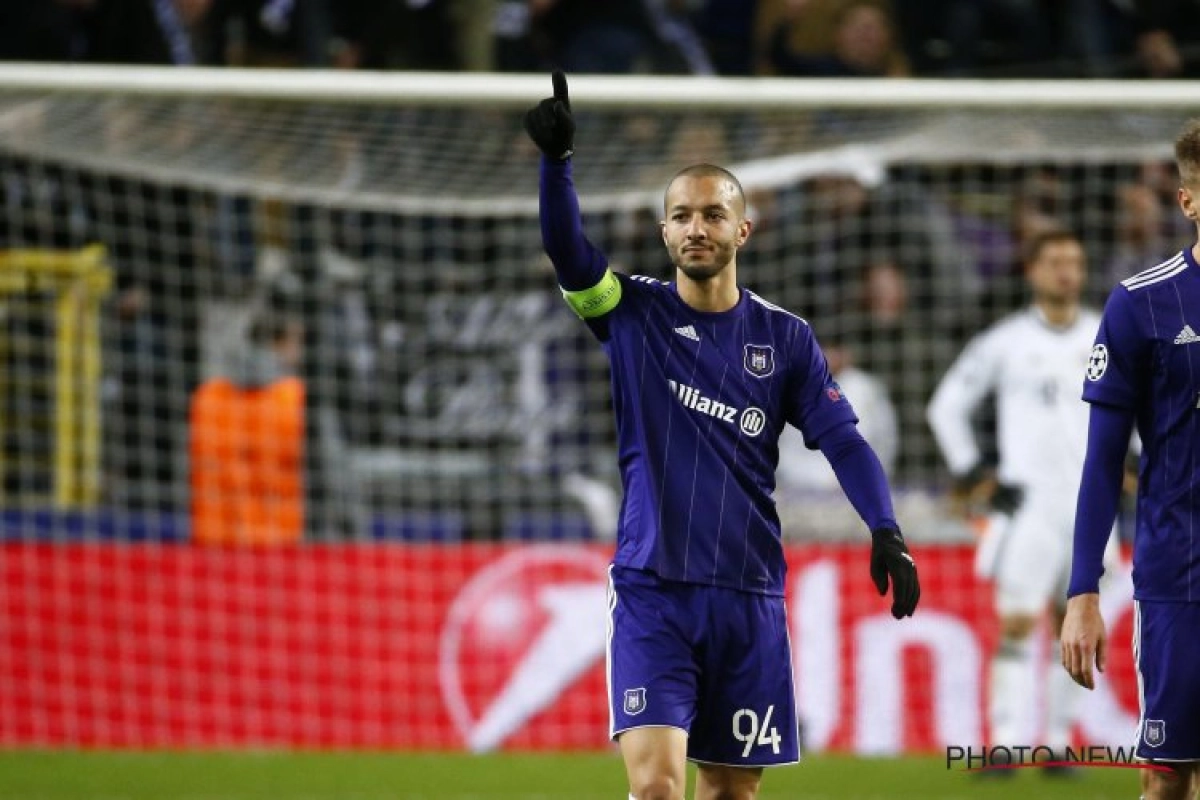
(1028, 555)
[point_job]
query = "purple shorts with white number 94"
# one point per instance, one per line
(712, 661)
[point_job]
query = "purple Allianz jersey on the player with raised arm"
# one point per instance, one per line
(700, 401)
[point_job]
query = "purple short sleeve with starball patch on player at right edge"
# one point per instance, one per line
(1120, 358)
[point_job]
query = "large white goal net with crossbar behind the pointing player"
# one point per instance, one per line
(379, 234)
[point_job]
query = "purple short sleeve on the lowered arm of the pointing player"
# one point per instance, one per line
(815, 402)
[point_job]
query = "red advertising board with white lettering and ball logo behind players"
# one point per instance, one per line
(457, 647)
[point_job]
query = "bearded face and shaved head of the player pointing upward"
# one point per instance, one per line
(705, 225)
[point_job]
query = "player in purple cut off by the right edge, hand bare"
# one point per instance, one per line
(1145, 370)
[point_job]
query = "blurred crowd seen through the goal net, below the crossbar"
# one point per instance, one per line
(437, 348)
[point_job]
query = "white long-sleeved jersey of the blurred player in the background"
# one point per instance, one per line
(1035, 371)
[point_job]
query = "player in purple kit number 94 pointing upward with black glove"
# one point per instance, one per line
(705, 376)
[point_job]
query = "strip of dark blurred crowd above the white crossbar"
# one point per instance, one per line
(1036, 39)
